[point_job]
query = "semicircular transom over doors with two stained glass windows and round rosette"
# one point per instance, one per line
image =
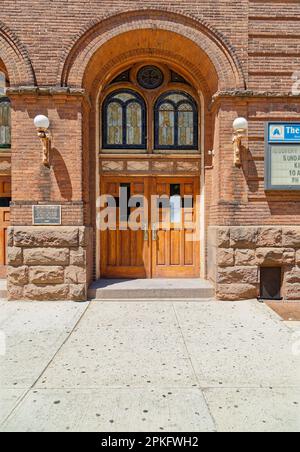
(158, 113)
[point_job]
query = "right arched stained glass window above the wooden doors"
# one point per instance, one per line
(176, 122)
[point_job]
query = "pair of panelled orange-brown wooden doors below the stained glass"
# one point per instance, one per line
(126, 254)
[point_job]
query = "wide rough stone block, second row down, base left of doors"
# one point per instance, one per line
(46, 256)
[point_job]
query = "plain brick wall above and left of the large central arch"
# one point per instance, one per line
(49, 29)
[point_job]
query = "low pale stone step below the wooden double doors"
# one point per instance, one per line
(151, 289)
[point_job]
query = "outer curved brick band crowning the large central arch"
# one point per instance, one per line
(217, 56)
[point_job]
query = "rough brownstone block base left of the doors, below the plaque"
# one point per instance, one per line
(48, 263)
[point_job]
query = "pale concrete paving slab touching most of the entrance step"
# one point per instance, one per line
(123, 345)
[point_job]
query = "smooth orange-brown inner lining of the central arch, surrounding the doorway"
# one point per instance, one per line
(118, 53)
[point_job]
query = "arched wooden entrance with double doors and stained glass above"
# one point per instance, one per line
(150, 165)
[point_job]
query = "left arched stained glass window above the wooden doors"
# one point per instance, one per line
(124, 121)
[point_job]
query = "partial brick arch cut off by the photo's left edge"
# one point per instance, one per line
(15, 58)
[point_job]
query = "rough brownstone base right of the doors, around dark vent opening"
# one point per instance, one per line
(235, 255)
